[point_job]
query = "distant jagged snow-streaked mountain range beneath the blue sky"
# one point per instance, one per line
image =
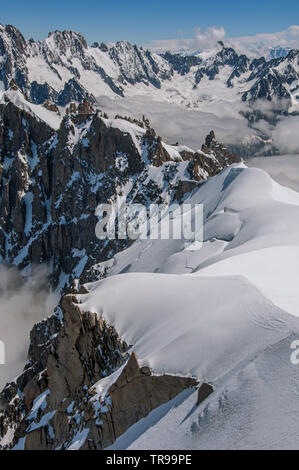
(64, 68)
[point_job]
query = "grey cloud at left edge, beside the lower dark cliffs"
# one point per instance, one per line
(23, 302)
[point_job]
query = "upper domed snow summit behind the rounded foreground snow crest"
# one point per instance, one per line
(253, 233)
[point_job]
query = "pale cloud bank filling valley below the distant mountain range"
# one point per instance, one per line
(190, 126)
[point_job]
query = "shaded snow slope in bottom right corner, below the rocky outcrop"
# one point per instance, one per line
(255, 408)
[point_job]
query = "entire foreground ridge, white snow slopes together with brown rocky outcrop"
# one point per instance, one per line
(225, 314)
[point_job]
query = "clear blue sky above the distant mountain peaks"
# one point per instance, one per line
(143, 21)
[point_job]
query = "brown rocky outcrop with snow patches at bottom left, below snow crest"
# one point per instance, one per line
(61, 402)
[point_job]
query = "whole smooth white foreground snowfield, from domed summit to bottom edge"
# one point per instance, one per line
(227, 316)
